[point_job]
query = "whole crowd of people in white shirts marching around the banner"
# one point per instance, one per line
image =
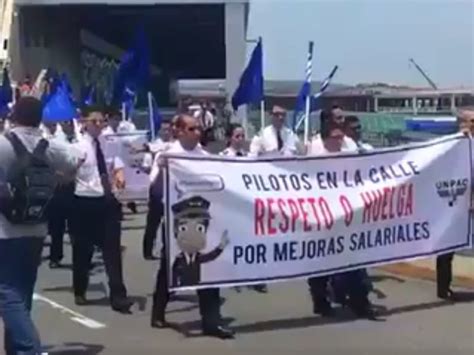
(87, 181)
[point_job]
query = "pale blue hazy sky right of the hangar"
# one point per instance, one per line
(370, 40)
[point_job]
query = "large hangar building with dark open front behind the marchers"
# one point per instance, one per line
(189, 39)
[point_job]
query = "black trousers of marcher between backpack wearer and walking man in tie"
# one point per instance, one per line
(58, 218)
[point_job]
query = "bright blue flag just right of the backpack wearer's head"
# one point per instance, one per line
(59, 107)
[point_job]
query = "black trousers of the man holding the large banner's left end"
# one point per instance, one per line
(209, 299)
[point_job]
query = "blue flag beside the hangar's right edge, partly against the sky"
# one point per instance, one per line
(250, 88)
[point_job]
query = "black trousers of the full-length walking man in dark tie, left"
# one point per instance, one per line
(96, 222)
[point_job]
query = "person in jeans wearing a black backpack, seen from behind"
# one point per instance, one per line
(30, 169)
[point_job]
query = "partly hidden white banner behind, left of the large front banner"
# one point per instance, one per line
(137, 181)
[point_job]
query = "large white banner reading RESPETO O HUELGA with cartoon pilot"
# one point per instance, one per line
(237, 221)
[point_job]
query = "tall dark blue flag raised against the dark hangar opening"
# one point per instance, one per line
(134, 69)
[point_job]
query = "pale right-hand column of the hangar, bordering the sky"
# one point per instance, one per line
(236, 48)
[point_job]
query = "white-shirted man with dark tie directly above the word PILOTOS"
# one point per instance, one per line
(276, 139)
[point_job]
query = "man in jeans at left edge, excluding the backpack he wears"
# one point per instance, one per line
(21, 245)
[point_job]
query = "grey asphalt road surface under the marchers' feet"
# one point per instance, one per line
(413, 320)
